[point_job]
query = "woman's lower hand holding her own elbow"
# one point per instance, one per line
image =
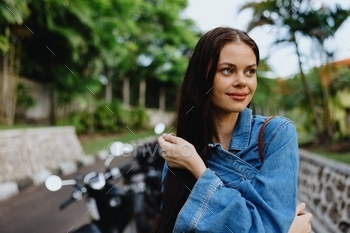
(301, 223)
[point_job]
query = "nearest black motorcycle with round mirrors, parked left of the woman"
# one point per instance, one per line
(112, 208)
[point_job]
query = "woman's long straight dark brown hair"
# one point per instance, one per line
(194, 119)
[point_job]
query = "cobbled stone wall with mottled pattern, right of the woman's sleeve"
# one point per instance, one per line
(324, 186)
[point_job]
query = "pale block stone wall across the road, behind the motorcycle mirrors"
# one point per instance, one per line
(26, 152)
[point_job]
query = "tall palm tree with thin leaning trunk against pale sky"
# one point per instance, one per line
(300, 20)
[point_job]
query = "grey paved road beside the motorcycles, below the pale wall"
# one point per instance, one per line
(35, 209)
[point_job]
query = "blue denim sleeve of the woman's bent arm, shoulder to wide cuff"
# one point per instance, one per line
(265, 204)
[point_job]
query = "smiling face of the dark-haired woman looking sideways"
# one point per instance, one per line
(235, 78)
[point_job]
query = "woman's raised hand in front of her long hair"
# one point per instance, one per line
(179, 153)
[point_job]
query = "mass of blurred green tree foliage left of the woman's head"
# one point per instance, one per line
(69, 45)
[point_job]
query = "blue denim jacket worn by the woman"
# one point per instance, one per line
(238, 192)
